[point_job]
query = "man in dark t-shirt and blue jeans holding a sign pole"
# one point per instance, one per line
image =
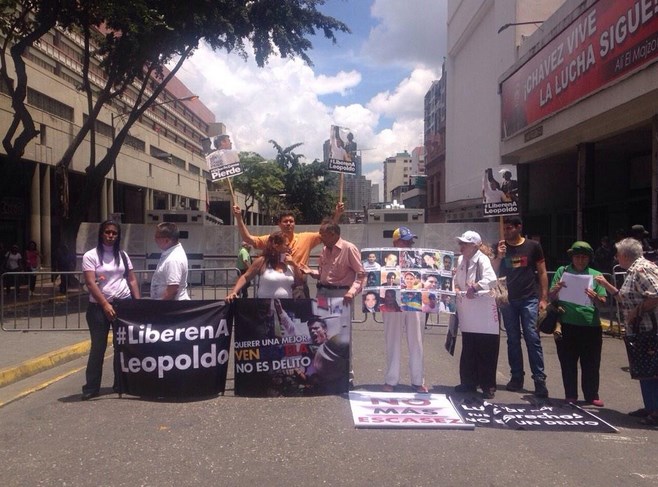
(521, 261)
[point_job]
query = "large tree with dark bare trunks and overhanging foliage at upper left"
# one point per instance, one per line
(132, 41)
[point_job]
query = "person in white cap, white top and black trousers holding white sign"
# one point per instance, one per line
(480, 339)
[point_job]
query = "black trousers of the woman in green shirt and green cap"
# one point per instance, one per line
(582, 343)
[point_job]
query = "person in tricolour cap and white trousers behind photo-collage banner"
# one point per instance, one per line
(394, 323)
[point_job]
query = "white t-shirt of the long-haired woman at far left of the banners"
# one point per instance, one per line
(109, 275)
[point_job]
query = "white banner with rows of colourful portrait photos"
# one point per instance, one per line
(408, 279)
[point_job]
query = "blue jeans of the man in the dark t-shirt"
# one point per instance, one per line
(520, 316)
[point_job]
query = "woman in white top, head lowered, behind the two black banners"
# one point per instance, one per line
(278, 273)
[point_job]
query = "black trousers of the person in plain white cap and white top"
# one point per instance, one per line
(479, 360)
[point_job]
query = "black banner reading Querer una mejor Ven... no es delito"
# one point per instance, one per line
(292, 347)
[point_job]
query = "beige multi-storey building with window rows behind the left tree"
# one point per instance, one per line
(160, 166)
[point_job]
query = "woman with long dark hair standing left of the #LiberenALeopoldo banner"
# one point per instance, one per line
(109, 276)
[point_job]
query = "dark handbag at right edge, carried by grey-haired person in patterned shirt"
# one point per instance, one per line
(642, 350)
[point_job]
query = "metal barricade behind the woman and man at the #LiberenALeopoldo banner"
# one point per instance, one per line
(57, 301)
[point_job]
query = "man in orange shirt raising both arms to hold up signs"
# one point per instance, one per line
(300, 244)
